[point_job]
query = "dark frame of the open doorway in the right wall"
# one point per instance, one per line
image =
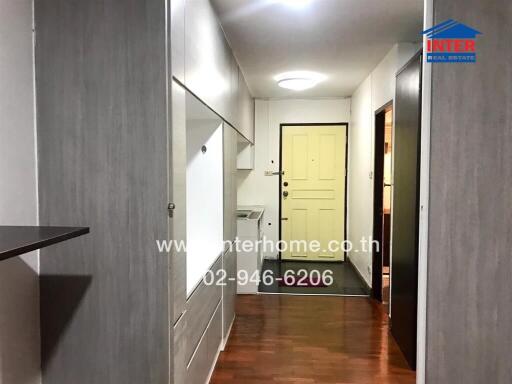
(378, 192)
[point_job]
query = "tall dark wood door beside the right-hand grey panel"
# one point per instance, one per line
(404, 290)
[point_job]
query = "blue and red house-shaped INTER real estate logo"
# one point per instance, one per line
(451, 42)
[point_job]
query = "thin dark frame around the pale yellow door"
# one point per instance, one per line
(280, 189)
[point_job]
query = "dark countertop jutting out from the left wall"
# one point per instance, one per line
(16, 240)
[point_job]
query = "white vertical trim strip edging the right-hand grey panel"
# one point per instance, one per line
(426, 103)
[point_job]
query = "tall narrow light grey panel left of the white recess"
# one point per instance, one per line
(178, 223)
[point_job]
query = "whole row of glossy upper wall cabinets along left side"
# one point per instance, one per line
(202, 60)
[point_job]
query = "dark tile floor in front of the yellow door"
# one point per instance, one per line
(345, 279)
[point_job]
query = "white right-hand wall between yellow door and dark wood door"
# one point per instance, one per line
(373, 93)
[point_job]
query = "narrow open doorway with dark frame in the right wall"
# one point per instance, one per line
(383, 184)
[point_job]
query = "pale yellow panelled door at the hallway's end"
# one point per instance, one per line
(312, 190)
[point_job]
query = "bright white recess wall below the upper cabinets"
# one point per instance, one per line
(204, 198)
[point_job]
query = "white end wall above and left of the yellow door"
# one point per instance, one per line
(256, 188)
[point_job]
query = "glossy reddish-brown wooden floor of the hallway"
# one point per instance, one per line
(310, 339)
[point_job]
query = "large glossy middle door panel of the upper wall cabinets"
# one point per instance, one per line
(207, 57)
